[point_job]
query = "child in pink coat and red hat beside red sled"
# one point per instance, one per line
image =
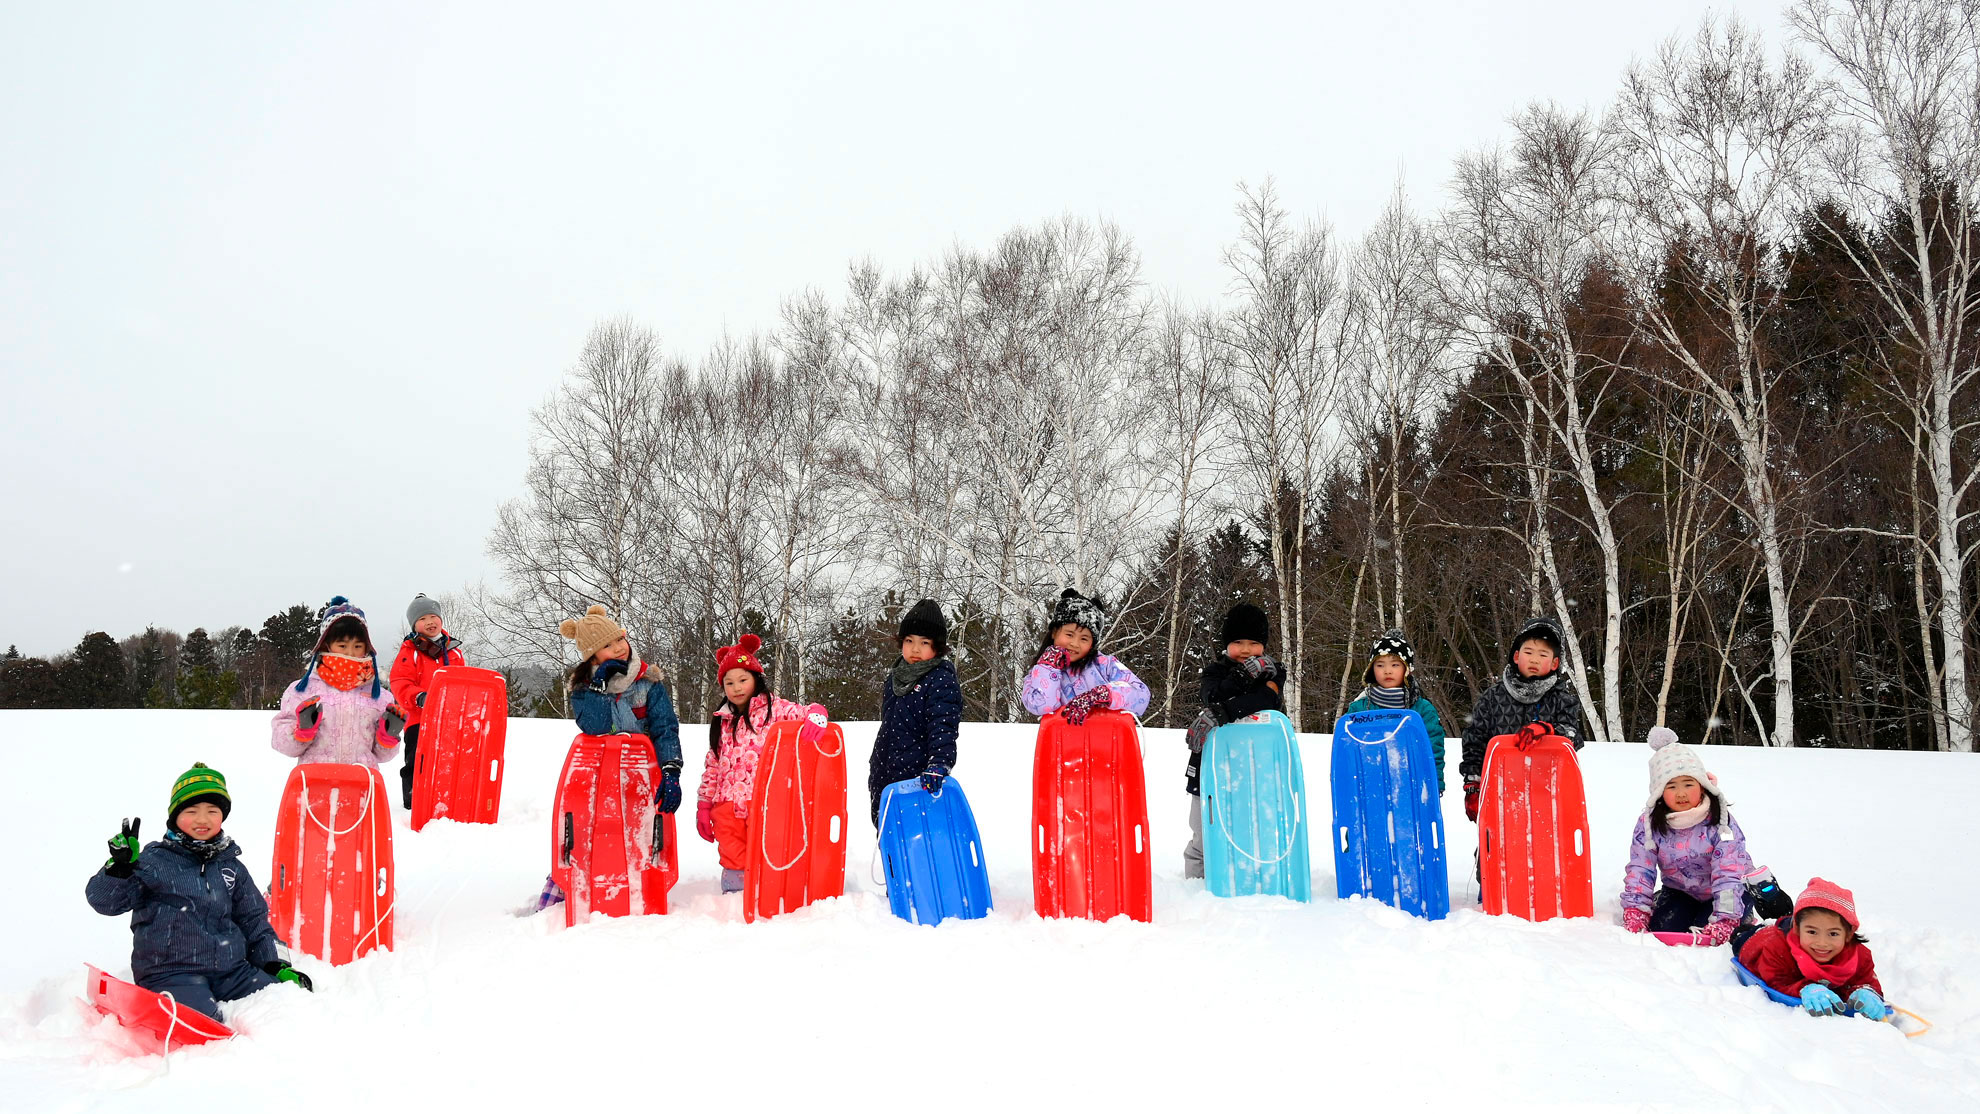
(738, 731)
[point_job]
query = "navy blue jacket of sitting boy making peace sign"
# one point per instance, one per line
(187, 917)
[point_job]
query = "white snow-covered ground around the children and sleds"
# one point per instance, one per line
(844, 1008)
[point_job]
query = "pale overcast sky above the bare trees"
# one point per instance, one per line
(282, 282)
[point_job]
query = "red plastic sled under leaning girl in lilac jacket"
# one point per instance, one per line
(1090, 820)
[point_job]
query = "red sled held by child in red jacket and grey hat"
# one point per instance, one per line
(462, 733)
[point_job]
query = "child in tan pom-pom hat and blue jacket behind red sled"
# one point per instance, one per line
(617, 694)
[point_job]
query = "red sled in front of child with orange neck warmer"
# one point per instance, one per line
(332, 887)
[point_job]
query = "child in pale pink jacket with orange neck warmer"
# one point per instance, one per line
(340, 711)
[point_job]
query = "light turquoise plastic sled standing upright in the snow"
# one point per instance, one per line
(1254, 810)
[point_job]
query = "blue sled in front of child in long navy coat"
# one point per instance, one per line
(932, 854)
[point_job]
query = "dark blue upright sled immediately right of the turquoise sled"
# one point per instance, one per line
(1389, 822)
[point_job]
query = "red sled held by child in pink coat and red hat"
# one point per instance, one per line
(797, 826)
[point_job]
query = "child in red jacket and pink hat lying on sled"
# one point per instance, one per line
(1817, 955)
